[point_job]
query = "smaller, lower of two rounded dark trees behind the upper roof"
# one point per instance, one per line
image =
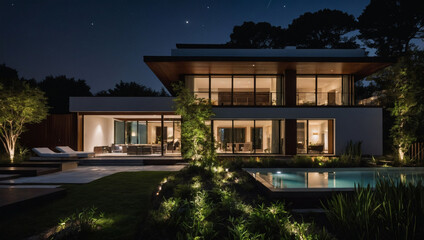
(257, 35)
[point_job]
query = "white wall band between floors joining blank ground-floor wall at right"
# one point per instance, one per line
(351, 123)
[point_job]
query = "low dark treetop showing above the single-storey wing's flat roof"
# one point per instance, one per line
(132, 89)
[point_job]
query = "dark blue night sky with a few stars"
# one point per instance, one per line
(104, 41)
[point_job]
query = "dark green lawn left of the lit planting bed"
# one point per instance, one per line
(124, 198)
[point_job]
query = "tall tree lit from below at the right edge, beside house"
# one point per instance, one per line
(403, 97)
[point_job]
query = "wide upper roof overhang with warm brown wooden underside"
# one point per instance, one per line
(170, 69)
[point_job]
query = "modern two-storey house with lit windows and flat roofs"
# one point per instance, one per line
(266, 101)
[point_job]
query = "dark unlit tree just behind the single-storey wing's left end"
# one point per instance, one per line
(59, 89)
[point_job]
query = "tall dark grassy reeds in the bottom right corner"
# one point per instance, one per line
(393, 210)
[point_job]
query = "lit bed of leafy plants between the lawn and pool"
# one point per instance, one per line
(204, 204)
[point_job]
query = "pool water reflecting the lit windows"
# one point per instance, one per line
(333, 178)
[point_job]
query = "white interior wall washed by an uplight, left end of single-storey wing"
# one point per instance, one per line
(98, 131)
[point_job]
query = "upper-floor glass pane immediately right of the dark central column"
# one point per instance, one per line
(305, 90)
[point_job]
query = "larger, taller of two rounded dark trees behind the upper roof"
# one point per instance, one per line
(323, 29)
